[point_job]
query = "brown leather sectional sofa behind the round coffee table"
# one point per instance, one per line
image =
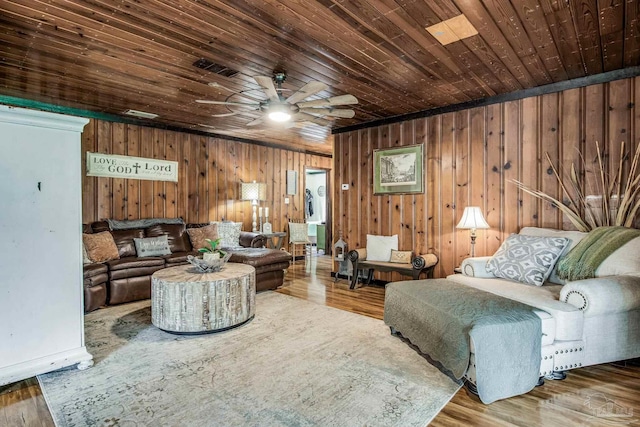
(129, 277)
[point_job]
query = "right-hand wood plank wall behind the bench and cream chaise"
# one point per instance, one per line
(470, 157)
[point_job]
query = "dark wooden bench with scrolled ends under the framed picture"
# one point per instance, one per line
(419, 264)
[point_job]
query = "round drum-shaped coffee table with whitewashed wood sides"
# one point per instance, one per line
(184, 301)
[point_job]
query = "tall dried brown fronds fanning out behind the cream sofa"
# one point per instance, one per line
(618, 204)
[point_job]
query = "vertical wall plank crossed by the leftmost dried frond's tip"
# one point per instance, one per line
(511, 166)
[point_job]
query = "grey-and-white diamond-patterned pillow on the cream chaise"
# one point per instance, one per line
(527, 259)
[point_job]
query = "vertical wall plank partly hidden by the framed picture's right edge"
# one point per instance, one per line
(420, 245)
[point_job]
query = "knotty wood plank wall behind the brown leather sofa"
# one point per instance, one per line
(210, 171)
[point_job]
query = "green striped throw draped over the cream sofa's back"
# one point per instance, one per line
(583, 260)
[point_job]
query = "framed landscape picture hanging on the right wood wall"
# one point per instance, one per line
(398, 170)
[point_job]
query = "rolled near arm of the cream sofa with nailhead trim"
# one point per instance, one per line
(603, 295)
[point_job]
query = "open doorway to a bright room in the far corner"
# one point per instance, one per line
(317, 208)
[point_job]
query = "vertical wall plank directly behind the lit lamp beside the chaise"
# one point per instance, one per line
(477, 185)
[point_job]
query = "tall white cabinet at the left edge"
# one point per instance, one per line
(41, 308)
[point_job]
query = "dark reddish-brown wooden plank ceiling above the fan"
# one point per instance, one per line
(108, 56)
